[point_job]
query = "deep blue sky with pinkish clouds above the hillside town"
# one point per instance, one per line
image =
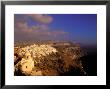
(78, 28)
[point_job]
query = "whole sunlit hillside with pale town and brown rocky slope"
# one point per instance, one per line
(47, 60)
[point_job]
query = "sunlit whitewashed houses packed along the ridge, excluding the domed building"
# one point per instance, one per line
(37, 50)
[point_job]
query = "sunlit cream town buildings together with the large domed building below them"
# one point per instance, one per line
(28, 53)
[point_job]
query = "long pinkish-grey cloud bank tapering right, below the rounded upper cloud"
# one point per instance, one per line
(37, 30)
